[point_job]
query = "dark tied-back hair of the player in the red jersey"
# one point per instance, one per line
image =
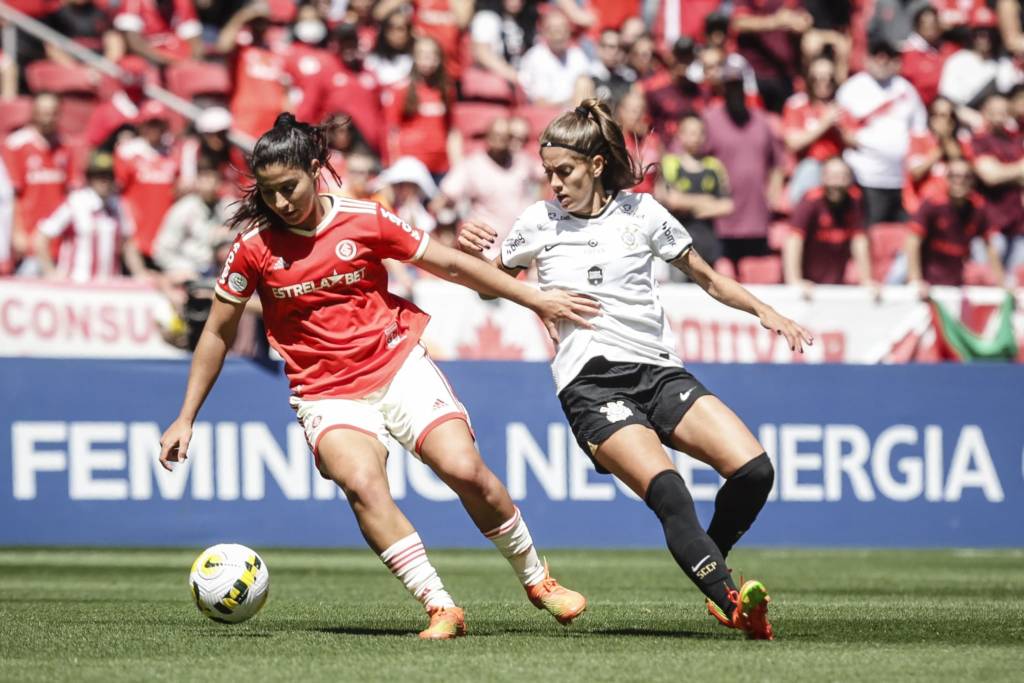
(289, 144)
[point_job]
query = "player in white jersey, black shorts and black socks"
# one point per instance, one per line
(622, 386)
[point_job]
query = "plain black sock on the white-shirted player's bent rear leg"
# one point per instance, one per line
(739, 502)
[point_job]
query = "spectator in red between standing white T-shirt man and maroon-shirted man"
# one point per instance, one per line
(931, 153)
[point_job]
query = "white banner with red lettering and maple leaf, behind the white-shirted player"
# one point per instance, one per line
(848, 325)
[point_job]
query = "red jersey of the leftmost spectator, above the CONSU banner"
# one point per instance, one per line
(39, 175)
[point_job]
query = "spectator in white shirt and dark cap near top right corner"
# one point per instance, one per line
(972, 73)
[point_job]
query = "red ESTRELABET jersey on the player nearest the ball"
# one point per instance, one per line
(326, 304)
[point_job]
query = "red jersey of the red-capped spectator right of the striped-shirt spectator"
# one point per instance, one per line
(147, 178)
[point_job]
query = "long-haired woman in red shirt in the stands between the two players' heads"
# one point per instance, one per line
(419, 112)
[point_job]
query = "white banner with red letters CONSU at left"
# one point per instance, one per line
(117, 320)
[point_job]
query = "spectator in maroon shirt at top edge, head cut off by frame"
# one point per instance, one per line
(769, 37)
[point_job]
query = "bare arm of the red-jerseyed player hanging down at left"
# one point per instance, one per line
(218, 337)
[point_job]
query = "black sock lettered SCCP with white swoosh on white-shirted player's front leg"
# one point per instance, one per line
(694, 550)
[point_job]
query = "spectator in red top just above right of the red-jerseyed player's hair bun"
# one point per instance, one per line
(348, 89)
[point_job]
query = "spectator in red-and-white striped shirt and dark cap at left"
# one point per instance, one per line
(95, 232)
